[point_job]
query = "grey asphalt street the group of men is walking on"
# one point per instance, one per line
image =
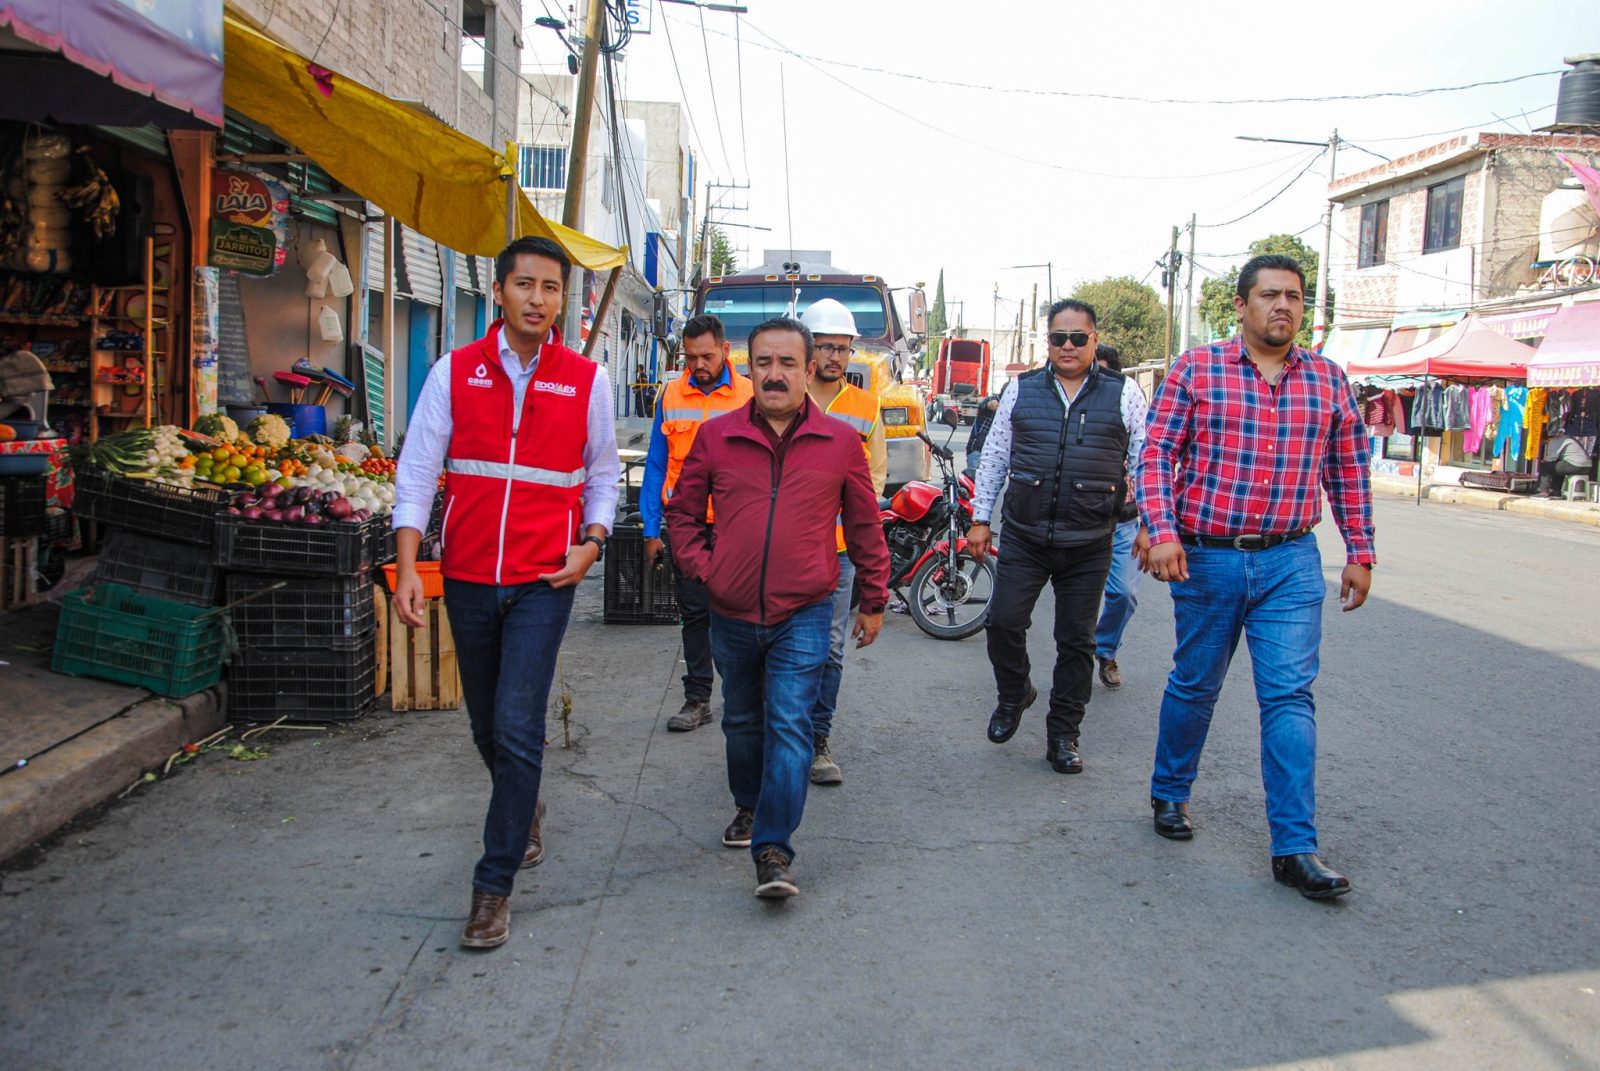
(962, 905)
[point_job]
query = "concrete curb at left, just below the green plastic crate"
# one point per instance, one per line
(95, 768)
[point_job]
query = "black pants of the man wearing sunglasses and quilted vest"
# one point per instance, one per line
(1079, 577)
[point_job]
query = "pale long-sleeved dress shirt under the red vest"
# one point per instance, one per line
(428, 441)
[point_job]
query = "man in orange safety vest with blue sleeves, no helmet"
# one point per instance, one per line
(708, 388)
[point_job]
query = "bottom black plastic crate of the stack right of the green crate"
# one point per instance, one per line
(313, 684)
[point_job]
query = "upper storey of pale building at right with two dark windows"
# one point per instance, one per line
(1452, 227)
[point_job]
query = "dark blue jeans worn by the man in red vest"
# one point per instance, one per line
(518, 628)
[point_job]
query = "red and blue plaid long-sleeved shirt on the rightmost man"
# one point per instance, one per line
(1230, 455)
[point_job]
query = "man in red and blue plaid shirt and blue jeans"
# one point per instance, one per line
(1242, 439)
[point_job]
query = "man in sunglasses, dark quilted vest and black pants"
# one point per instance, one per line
(1068, 436)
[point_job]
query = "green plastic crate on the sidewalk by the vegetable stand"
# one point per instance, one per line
(113, 633)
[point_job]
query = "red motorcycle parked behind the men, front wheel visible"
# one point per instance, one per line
(946, 590)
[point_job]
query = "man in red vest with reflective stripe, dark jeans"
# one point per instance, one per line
(524, 430)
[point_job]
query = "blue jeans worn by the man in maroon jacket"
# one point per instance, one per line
(770, 678)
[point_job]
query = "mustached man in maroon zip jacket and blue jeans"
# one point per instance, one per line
(780, 471)
